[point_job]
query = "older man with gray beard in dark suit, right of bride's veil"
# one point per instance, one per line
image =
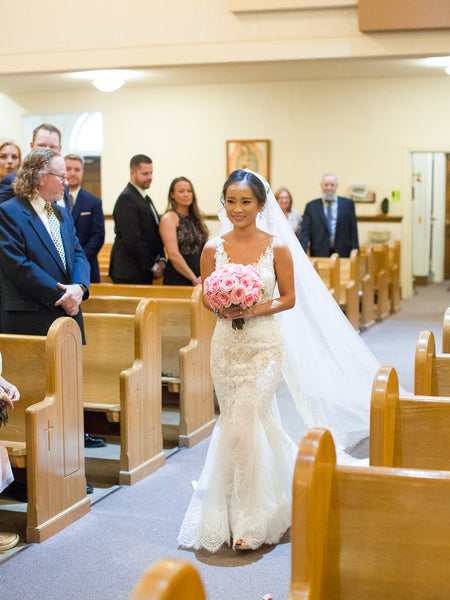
(329, 222)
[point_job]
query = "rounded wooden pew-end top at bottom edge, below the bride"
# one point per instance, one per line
(170, 579)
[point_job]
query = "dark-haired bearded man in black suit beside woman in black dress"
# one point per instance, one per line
(137, 255)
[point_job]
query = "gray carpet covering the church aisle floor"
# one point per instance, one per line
(103, 555)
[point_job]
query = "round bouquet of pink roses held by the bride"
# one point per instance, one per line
(233, 285)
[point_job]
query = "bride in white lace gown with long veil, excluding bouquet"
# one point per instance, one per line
(243, 496)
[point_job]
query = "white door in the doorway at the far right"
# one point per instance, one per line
(428, 214)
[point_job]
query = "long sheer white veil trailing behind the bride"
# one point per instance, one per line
(327, 367)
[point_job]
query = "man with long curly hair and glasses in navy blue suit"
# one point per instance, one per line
(44, 271)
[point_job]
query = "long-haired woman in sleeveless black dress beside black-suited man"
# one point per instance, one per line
(183, 233)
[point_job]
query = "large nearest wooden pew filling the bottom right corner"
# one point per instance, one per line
(367, 533)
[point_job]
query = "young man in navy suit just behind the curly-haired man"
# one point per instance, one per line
(87, 213)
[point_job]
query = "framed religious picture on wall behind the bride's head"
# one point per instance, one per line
(249, 154)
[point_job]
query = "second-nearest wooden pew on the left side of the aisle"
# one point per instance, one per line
(122, 369)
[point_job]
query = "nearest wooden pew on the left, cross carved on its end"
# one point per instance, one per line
(45, 431)
